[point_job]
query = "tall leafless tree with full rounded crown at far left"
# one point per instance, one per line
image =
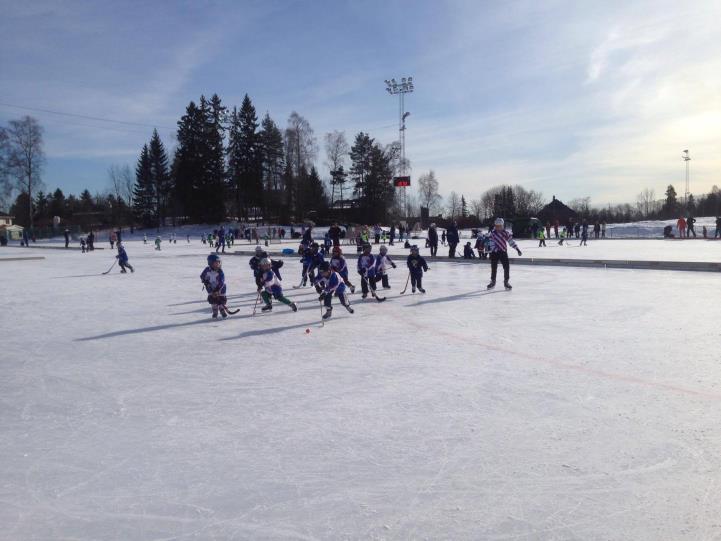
(25, 137)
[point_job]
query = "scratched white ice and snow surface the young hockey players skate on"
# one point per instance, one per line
(581, 405)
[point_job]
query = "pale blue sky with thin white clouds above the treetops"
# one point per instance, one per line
(573, 99)
